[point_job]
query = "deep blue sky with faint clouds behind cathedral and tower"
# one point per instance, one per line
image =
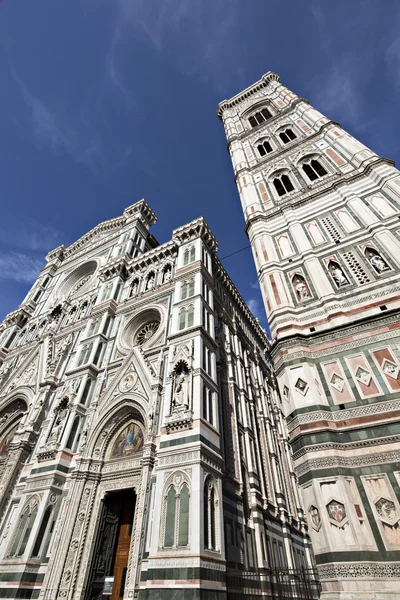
(104, 102)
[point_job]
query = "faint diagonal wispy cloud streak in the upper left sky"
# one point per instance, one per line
(57, 133)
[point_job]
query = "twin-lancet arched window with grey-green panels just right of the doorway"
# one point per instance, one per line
(176, 515)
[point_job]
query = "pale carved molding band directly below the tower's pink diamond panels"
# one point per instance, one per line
(343, 415)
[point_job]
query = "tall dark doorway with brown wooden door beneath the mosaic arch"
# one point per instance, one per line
(111, 551)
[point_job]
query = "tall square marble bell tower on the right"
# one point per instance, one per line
(322, 215)
